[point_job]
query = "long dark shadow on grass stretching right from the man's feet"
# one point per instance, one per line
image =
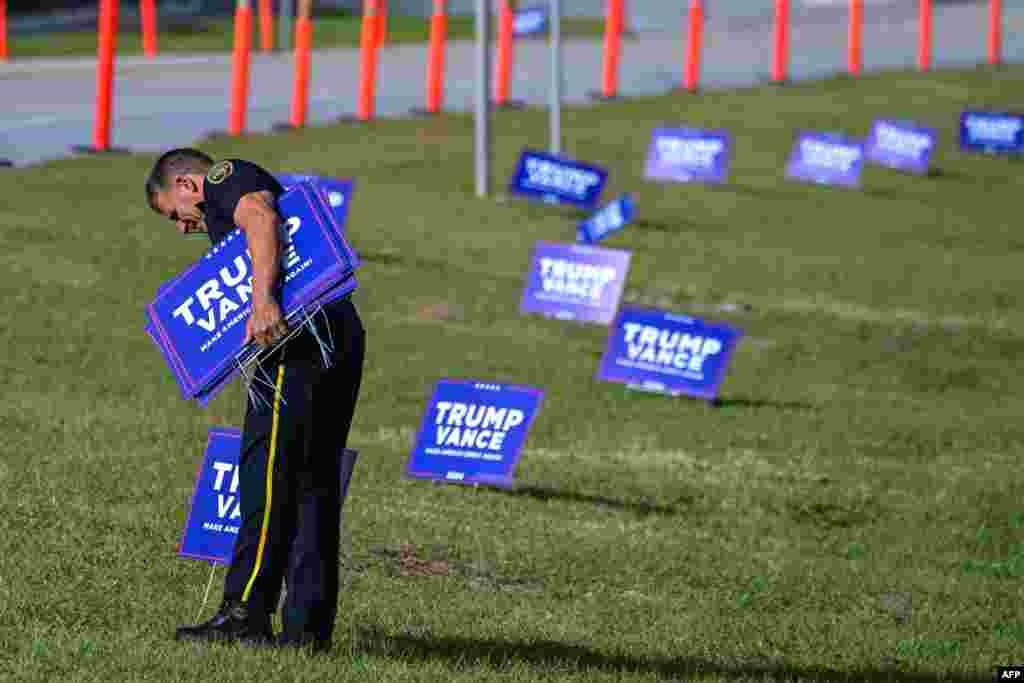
(550, 655)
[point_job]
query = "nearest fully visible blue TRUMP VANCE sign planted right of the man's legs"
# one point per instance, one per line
(473, 433)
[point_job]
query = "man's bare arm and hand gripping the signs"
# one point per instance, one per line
(259, 218)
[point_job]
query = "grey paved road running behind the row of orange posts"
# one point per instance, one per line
(176, 101)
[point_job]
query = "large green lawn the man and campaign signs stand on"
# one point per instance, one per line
(850, 511)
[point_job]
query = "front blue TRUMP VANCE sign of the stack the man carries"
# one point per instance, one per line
(200, 316)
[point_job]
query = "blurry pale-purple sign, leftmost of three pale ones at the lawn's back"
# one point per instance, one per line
(685, 155)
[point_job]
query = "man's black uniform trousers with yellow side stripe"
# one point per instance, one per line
(290, 483)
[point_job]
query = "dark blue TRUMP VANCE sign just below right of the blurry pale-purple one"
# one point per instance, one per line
(657, 351)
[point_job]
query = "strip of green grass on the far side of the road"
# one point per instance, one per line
(330, 30)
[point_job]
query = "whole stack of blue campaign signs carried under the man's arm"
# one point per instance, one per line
(198, 320)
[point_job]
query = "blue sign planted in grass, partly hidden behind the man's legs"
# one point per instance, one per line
(212, 525)
